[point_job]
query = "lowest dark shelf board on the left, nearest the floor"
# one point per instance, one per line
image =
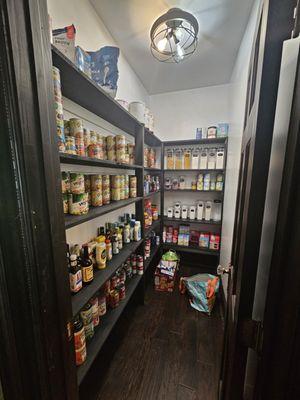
(105, 327)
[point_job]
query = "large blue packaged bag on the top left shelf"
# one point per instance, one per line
(104, 67)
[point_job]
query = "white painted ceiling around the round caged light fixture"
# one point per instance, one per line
(222, 25)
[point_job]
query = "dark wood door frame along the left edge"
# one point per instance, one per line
(32, 233)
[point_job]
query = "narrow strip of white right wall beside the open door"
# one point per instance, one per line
(238, 94)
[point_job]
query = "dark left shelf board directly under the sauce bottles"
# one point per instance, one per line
(101, 276)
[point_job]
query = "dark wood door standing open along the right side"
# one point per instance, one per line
(277, 25)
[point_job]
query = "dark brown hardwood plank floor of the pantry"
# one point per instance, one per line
(163, 350)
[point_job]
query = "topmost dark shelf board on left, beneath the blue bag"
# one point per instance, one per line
(79, 88)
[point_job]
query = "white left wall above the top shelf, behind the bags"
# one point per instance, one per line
(91, 35)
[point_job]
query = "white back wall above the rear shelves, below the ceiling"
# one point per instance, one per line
(179, 114)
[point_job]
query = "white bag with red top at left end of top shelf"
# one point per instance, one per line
(64, 41)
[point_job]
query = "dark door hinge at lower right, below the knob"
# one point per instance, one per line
(252, 334)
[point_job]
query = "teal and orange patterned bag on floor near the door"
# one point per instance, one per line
(202, 288)
